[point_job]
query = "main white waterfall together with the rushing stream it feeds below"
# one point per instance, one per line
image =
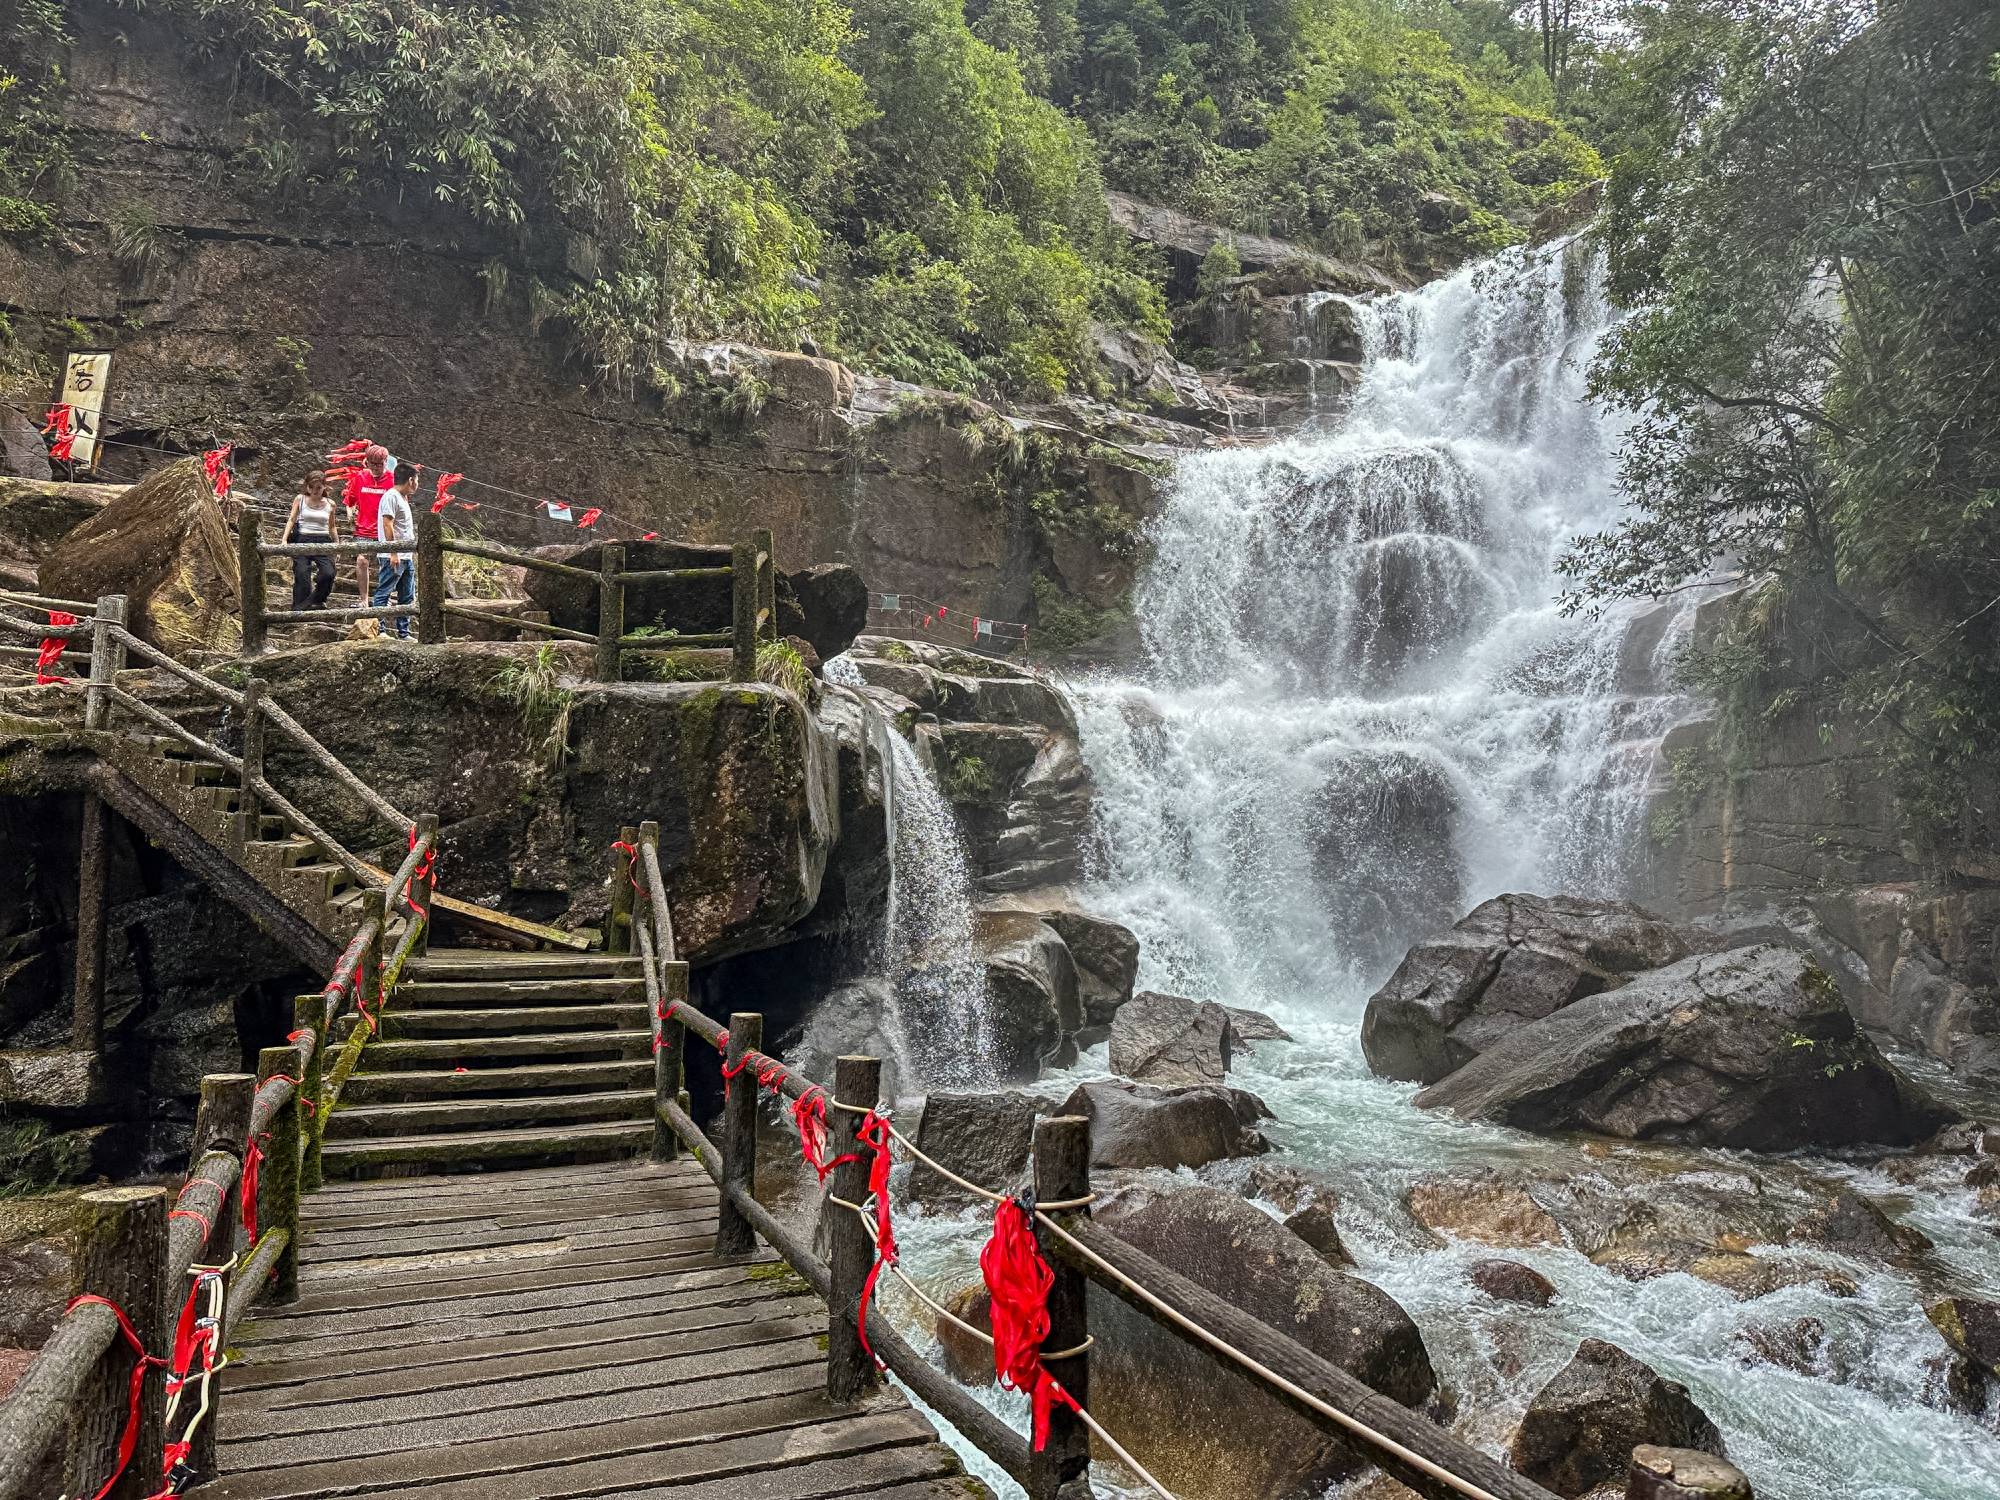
(1365, 713)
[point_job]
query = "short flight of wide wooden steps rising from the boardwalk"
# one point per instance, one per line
(493, 1061)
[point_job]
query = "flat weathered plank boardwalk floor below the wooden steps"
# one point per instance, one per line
(551, 1333)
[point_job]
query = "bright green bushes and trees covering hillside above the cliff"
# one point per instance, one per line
(899, 183)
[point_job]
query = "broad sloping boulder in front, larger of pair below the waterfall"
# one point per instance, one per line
(1749, 1049)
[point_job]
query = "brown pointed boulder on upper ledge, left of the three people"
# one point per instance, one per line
(169, 549)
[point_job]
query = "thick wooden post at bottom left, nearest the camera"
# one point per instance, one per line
(123, 1259)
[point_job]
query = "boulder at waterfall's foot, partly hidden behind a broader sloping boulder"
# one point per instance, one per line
(1511, 961)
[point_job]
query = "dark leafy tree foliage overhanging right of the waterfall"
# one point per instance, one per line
(1807, 223)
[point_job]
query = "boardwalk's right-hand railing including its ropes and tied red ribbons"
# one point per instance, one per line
(1403, 1443)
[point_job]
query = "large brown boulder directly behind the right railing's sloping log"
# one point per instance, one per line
(1209, 1431)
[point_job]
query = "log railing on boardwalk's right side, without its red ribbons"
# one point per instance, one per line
(1399, 1441)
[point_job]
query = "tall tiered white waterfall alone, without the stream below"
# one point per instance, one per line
(1365, 709)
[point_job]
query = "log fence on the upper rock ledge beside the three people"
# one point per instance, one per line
(753, 601)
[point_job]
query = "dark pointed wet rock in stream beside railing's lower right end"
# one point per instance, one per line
(1581, 1431)
